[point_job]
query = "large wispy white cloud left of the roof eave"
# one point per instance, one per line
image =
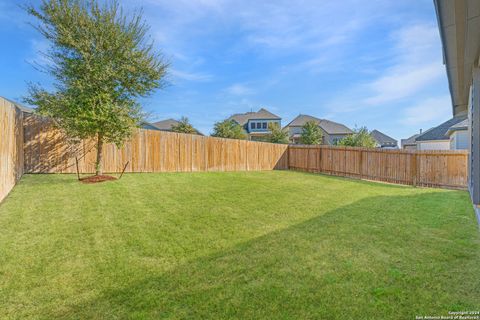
(415, 67)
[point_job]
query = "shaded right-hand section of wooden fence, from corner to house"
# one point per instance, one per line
(422, 168)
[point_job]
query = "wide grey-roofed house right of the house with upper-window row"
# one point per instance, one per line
(332, 131)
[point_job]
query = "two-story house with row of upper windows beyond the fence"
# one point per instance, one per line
(256, 123)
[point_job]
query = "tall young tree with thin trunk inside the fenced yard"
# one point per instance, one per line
(101, 62)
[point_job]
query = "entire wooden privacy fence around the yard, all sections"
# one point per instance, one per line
(46, 150)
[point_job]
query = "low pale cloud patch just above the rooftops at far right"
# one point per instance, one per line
(428, 111)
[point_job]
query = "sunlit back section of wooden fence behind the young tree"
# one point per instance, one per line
(47, 151)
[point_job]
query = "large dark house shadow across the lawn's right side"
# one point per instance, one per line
(380, 258)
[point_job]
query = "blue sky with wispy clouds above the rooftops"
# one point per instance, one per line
(366, 63)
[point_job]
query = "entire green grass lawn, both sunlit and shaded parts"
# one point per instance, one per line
(276, 245)
